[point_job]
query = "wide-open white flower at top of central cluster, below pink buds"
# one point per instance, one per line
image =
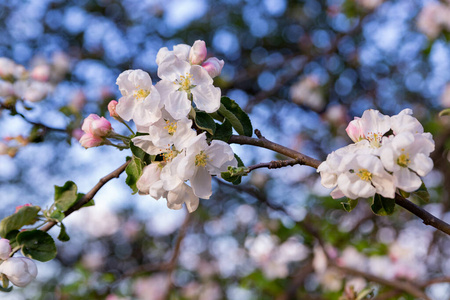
(182, 83)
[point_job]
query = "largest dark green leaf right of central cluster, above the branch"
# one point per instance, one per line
(237, 117)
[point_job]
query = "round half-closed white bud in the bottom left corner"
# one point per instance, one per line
(19, 270)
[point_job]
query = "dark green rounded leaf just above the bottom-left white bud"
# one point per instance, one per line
(37, 244)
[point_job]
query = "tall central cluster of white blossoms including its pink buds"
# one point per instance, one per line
(163, 115)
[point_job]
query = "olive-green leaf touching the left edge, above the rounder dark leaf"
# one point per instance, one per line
(26, 215)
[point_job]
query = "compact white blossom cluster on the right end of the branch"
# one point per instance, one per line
(388, 153)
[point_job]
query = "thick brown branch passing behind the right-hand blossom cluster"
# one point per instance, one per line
(302, 159)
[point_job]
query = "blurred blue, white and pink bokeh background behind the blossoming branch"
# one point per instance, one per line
(302, 70)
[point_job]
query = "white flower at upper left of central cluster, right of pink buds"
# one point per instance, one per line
(141, 101)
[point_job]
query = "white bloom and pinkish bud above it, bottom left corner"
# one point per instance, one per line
(19, 270)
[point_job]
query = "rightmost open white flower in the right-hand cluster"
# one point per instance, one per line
(407, 156)
